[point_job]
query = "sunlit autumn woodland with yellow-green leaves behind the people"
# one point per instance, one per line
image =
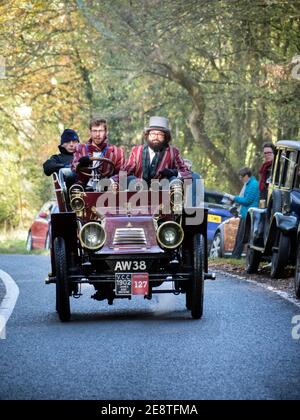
(222, 71)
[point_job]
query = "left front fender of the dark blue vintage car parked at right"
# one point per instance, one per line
(254, 228)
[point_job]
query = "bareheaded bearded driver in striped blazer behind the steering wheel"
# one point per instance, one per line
(97, 146)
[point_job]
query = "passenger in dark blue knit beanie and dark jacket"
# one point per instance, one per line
(68, 142)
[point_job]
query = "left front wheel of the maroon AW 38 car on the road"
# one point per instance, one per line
(62, 286)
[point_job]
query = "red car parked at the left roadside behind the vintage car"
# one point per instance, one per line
(39, 232)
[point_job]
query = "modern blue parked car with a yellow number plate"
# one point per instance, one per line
(217, 212)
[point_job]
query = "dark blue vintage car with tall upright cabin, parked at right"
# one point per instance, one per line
(271, 231)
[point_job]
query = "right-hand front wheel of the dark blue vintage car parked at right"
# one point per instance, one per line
(280, 255)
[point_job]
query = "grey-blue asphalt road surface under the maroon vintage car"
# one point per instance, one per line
(241, 349)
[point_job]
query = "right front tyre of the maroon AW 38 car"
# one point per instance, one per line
(197, 289)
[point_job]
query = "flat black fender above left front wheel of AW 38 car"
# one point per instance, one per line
(64, 225)
